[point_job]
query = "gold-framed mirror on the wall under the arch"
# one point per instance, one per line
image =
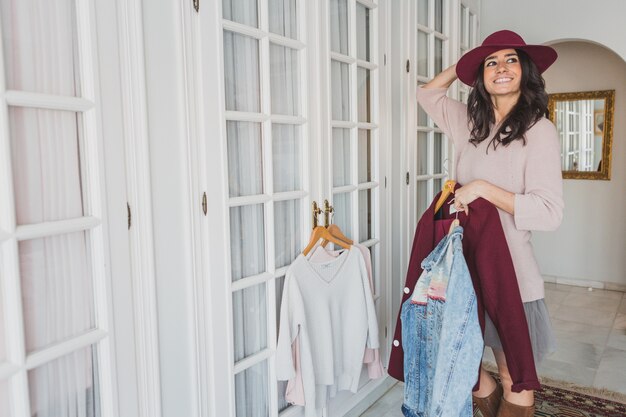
(584, 121)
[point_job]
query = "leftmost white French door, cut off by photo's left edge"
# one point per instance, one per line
(57, 346)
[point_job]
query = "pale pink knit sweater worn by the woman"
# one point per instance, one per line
(532, 172)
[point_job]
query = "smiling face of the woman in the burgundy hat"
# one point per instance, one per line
(502, 73)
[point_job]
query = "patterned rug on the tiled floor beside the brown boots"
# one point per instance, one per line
(559, 399)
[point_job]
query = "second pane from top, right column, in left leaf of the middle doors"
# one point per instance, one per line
(284, 80)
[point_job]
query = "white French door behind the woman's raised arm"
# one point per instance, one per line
(440, 31)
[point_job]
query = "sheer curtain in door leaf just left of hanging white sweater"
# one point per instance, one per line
(246, 178)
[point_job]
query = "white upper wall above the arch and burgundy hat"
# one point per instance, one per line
(541, 21)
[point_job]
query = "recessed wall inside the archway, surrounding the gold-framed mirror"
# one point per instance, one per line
(591, 243)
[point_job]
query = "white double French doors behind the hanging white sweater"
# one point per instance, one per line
(296, 120)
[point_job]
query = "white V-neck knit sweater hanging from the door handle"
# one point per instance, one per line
(331, 307)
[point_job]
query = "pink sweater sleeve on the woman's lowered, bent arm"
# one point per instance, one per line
(540, 207)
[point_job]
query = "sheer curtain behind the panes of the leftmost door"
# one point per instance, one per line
(57, 289)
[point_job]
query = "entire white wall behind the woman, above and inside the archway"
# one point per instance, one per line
(591, 243)
